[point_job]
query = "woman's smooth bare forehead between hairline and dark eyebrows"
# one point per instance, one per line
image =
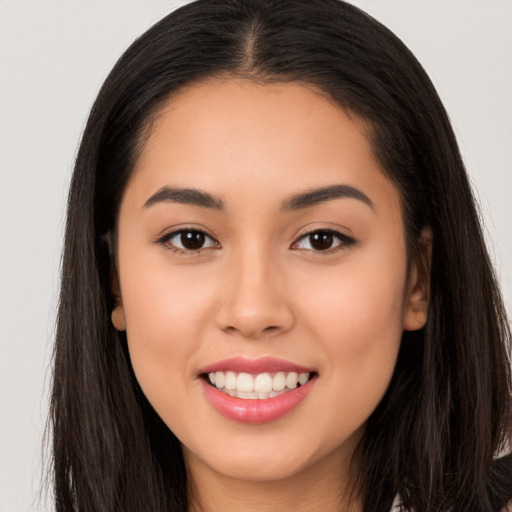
(227, 136)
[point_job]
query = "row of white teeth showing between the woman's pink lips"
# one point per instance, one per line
(260, 386)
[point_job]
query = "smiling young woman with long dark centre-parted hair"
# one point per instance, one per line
(275, 291)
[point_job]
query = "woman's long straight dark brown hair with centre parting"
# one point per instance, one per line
(448, 410)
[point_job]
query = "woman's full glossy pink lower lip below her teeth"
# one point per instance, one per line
(257, 410)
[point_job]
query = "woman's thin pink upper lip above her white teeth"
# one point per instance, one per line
(254, 366)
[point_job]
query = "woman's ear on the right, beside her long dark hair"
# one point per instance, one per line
(418, 284)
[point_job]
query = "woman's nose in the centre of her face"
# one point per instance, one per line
(254, 300)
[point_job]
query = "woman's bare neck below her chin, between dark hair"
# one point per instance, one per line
(319, 487)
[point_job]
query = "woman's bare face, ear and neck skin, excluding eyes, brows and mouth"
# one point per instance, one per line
(260, 289)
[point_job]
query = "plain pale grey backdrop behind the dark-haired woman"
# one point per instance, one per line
(54, 56)
